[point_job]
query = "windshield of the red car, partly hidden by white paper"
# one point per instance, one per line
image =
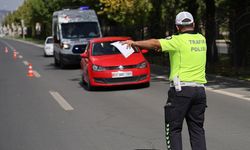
(105, 48)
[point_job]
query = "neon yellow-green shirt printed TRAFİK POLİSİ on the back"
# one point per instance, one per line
(187, 53)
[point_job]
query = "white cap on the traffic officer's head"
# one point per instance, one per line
(184, 18)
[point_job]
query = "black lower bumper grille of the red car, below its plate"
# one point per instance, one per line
(120, 80)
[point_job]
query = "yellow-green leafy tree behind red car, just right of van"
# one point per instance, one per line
(125, 17)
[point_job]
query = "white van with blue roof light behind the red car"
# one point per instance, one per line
(71, 30)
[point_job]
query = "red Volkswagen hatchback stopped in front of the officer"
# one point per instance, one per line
(103, 64)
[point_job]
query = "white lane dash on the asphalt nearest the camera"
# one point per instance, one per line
(61, 101)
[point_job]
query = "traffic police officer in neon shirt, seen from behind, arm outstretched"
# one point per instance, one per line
(186, 96)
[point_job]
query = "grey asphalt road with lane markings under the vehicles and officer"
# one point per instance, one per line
(53, 111)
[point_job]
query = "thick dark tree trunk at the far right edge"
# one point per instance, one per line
(240, 32)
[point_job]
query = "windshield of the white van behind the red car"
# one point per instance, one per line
(80, 30)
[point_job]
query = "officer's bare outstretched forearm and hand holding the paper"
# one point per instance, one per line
(147, 44)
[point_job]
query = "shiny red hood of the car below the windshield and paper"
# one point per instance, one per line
(117, 59)
